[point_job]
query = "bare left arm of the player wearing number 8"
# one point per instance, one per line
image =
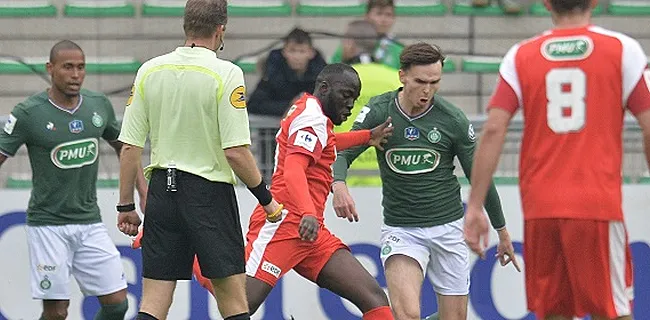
(486, 159)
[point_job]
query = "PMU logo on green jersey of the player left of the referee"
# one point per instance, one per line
(75, 154)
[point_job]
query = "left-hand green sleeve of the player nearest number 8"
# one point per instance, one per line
(368, 118)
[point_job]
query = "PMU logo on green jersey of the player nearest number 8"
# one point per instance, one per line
(412, 160)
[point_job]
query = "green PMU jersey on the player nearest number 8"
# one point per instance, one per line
(417, 165)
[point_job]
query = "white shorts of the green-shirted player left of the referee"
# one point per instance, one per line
(83, 250)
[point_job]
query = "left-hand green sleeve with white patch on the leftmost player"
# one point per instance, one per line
(15, 132)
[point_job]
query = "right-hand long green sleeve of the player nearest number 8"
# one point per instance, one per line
(464, 147)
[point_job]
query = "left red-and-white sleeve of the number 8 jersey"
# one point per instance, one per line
(507, 94)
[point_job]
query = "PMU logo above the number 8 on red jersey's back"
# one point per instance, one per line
(567, 48)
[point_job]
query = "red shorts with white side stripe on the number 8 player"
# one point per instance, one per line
(577, 267)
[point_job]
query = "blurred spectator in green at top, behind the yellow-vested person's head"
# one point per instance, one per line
(381, 13)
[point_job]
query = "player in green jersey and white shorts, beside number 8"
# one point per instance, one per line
(422, 207)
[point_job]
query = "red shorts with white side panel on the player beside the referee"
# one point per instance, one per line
(272, 249)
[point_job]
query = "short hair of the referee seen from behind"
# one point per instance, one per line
(202, 17)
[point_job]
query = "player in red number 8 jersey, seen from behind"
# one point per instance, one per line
(573, 84)
